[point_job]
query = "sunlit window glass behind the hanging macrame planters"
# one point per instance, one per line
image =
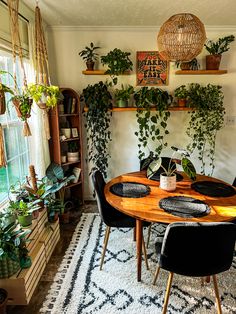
(16, 146)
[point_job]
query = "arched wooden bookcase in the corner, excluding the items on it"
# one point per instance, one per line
(60, 147)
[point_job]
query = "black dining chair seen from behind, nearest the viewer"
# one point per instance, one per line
(196, 250)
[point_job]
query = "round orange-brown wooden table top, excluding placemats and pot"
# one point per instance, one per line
(147, 208)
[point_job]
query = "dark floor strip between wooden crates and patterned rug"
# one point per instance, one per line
(46, 280)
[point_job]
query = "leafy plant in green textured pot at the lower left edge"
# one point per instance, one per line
(13, 252)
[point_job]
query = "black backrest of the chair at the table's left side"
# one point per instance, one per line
(105, 209)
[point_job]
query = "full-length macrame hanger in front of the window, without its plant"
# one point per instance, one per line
(13, 6)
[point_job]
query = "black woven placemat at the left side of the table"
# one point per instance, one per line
(130, 189)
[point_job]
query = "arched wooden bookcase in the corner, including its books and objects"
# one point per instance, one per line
(66, 137)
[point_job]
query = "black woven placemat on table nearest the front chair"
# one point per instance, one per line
(184, 206)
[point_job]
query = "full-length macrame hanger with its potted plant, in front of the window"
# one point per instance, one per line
(21, 99)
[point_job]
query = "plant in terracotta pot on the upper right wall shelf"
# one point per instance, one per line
(215, 49)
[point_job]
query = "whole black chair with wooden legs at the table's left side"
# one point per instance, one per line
(111, 216)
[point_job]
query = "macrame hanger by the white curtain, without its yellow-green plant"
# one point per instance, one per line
(41, 62)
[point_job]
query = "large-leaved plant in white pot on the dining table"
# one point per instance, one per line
(168, 177)
